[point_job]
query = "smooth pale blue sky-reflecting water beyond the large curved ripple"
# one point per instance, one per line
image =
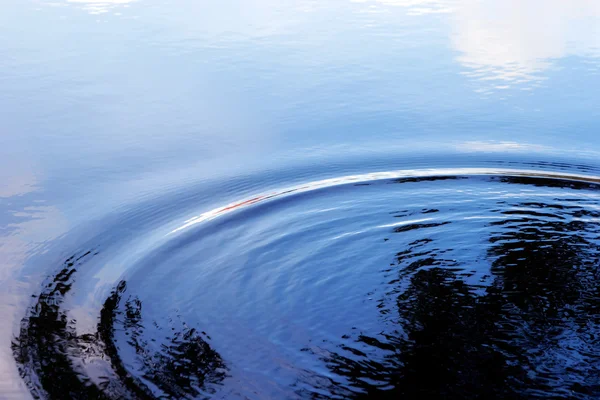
(91, 103)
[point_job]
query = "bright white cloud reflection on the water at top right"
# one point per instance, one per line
(511, 42)
